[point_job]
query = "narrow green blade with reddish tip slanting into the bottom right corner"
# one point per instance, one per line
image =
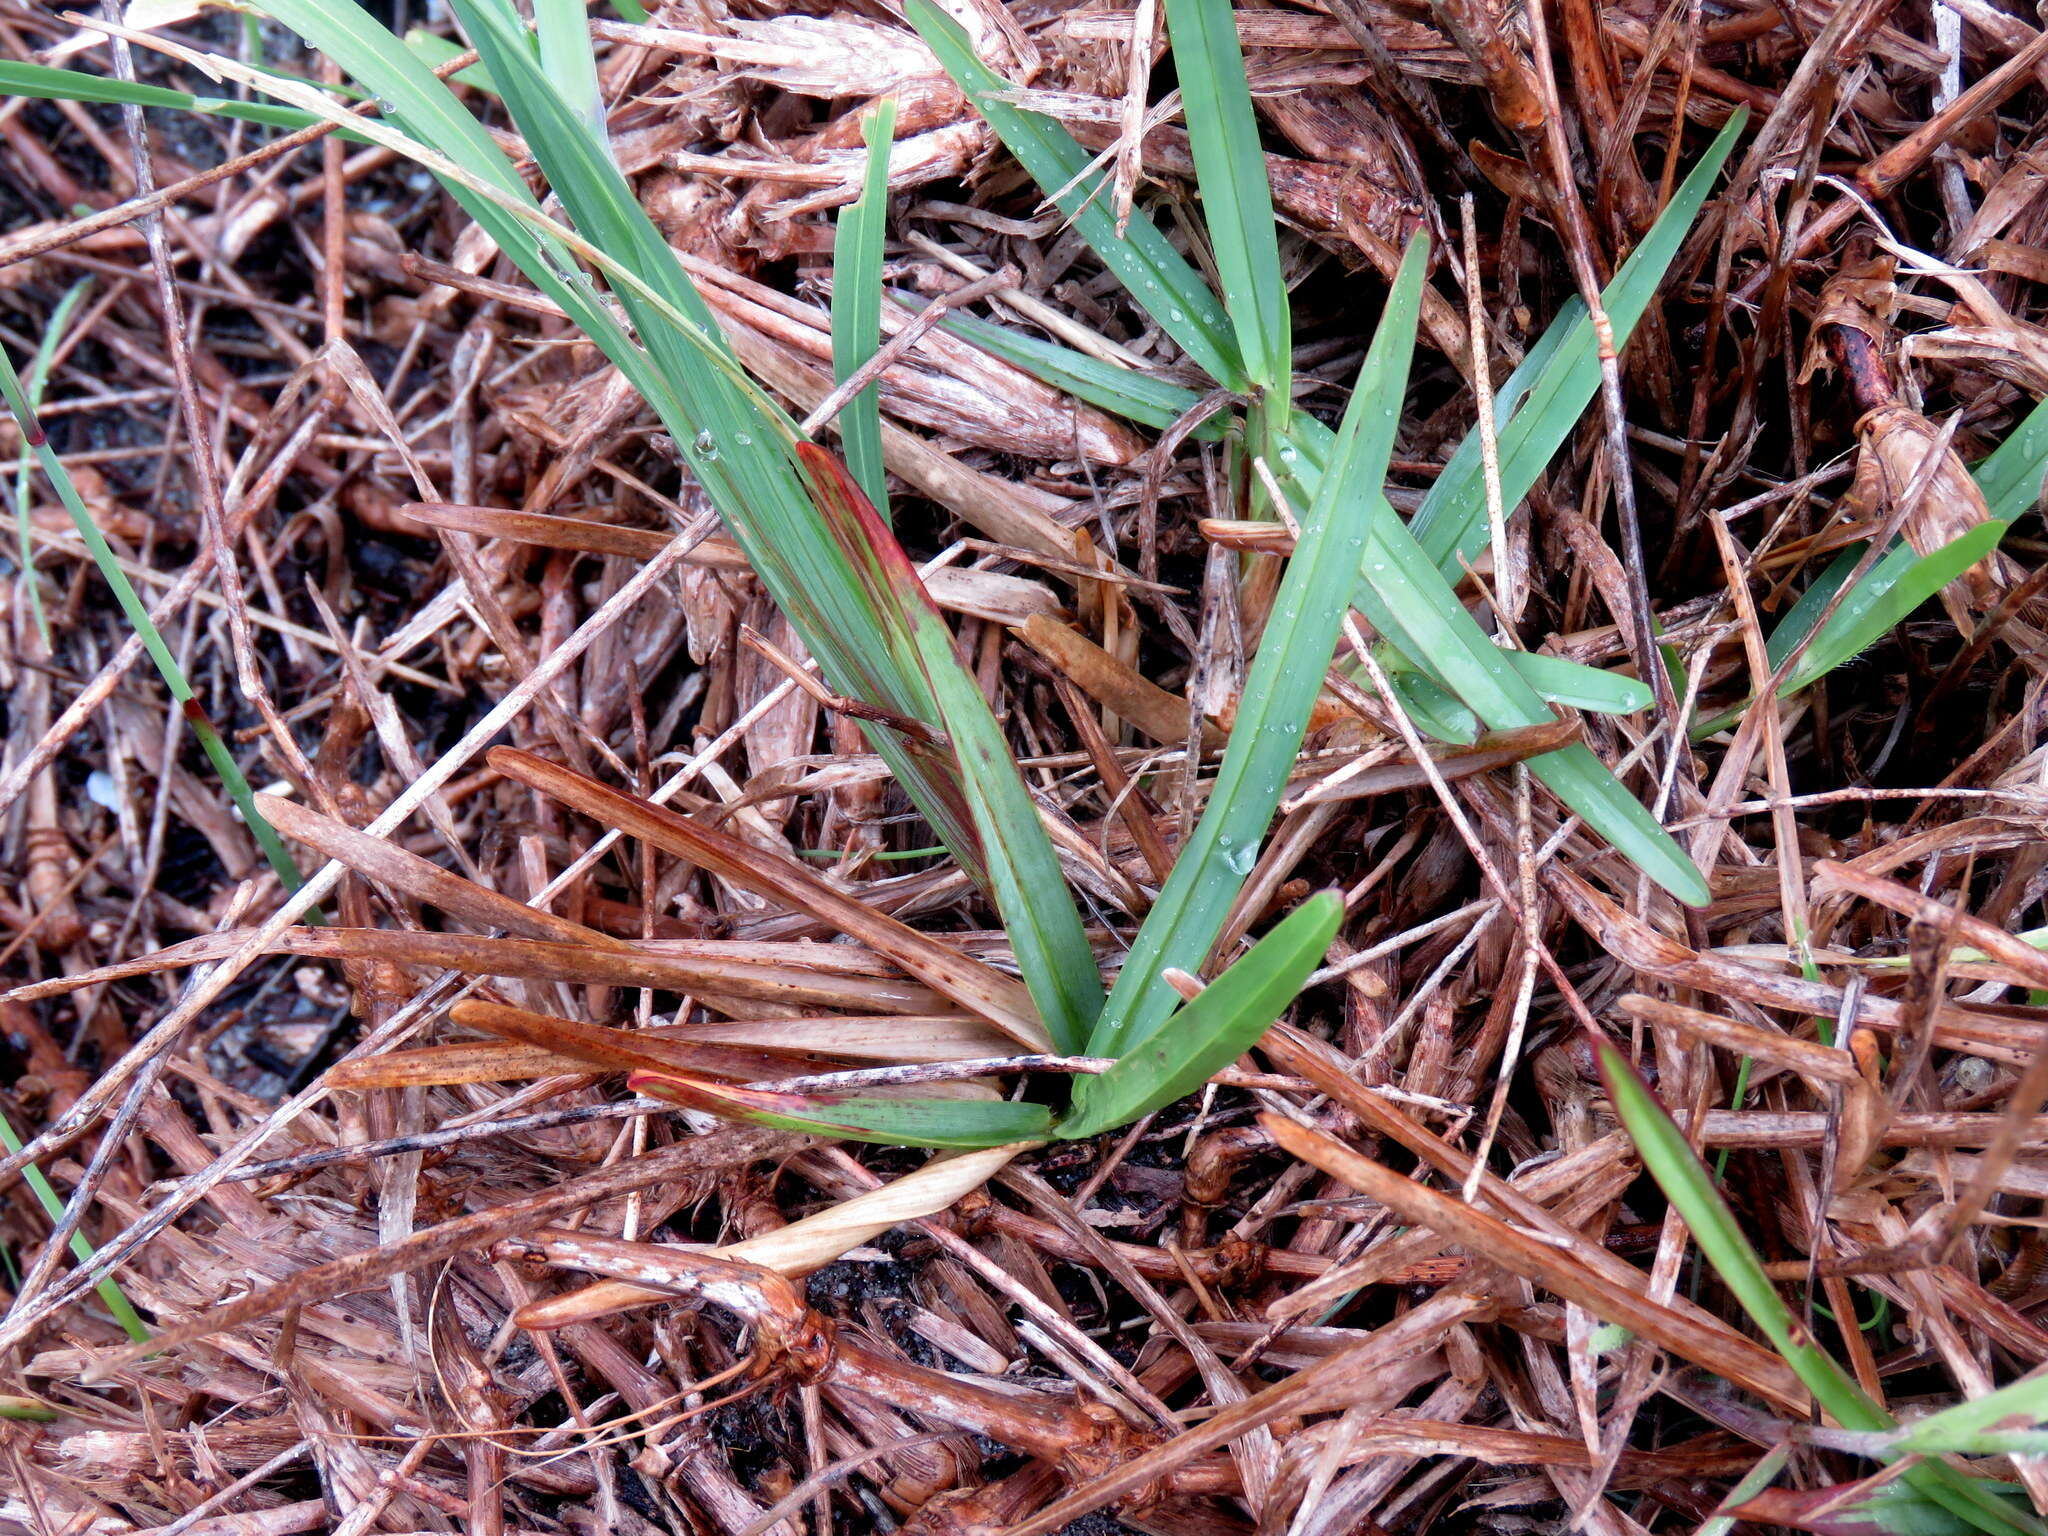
(1693, 1191)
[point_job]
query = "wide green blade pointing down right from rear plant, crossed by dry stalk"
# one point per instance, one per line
(1412, 605)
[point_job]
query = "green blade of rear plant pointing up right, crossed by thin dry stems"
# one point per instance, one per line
(1453, 519)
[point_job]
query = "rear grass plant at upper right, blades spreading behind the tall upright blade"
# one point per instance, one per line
(1408, 570)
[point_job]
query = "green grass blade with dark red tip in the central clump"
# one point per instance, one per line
(1025, 878)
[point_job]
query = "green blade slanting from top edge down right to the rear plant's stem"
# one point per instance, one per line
(1156, 275)
